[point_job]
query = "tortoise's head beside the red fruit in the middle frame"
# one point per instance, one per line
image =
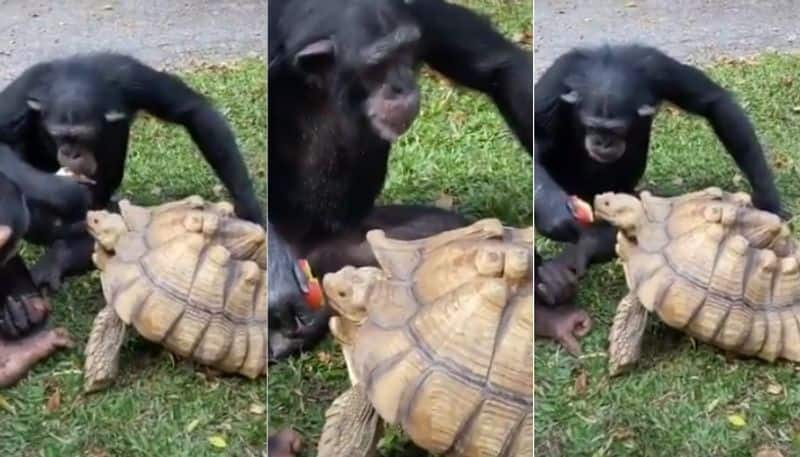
(348, 291)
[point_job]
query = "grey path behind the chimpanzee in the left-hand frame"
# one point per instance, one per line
(160, 32)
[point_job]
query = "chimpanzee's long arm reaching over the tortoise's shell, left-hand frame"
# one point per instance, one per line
(167, 97)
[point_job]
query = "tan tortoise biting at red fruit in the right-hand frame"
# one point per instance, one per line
(707, 263)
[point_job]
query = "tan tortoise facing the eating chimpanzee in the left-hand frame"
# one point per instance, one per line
(188, 275)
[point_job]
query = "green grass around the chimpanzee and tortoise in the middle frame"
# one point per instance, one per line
(460, 147)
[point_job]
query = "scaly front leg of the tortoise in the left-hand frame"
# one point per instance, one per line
(102, 350)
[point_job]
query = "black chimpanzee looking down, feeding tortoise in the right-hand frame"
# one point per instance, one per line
(594, 109)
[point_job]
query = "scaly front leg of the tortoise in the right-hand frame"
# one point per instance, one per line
(626, 335)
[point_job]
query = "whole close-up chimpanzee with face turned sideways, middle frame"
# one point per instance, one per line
(343, 88)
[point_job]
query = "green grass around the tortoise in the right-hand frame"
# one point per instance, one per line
(677, 402)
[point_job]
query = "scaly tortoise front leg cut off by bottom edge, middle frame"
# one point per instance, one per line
(352, 427)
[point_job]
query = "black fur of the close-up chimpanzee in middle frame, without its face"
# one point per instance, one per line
(327, 165)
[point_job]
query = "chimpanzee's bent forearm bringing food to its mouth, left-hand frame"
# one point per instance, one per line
(65, 197)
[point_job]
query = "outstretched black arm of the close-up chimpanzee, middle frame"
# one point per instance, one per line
(465, 47)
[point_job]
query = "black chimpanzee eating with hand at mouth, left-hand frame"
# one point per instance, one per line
(76, 113)
